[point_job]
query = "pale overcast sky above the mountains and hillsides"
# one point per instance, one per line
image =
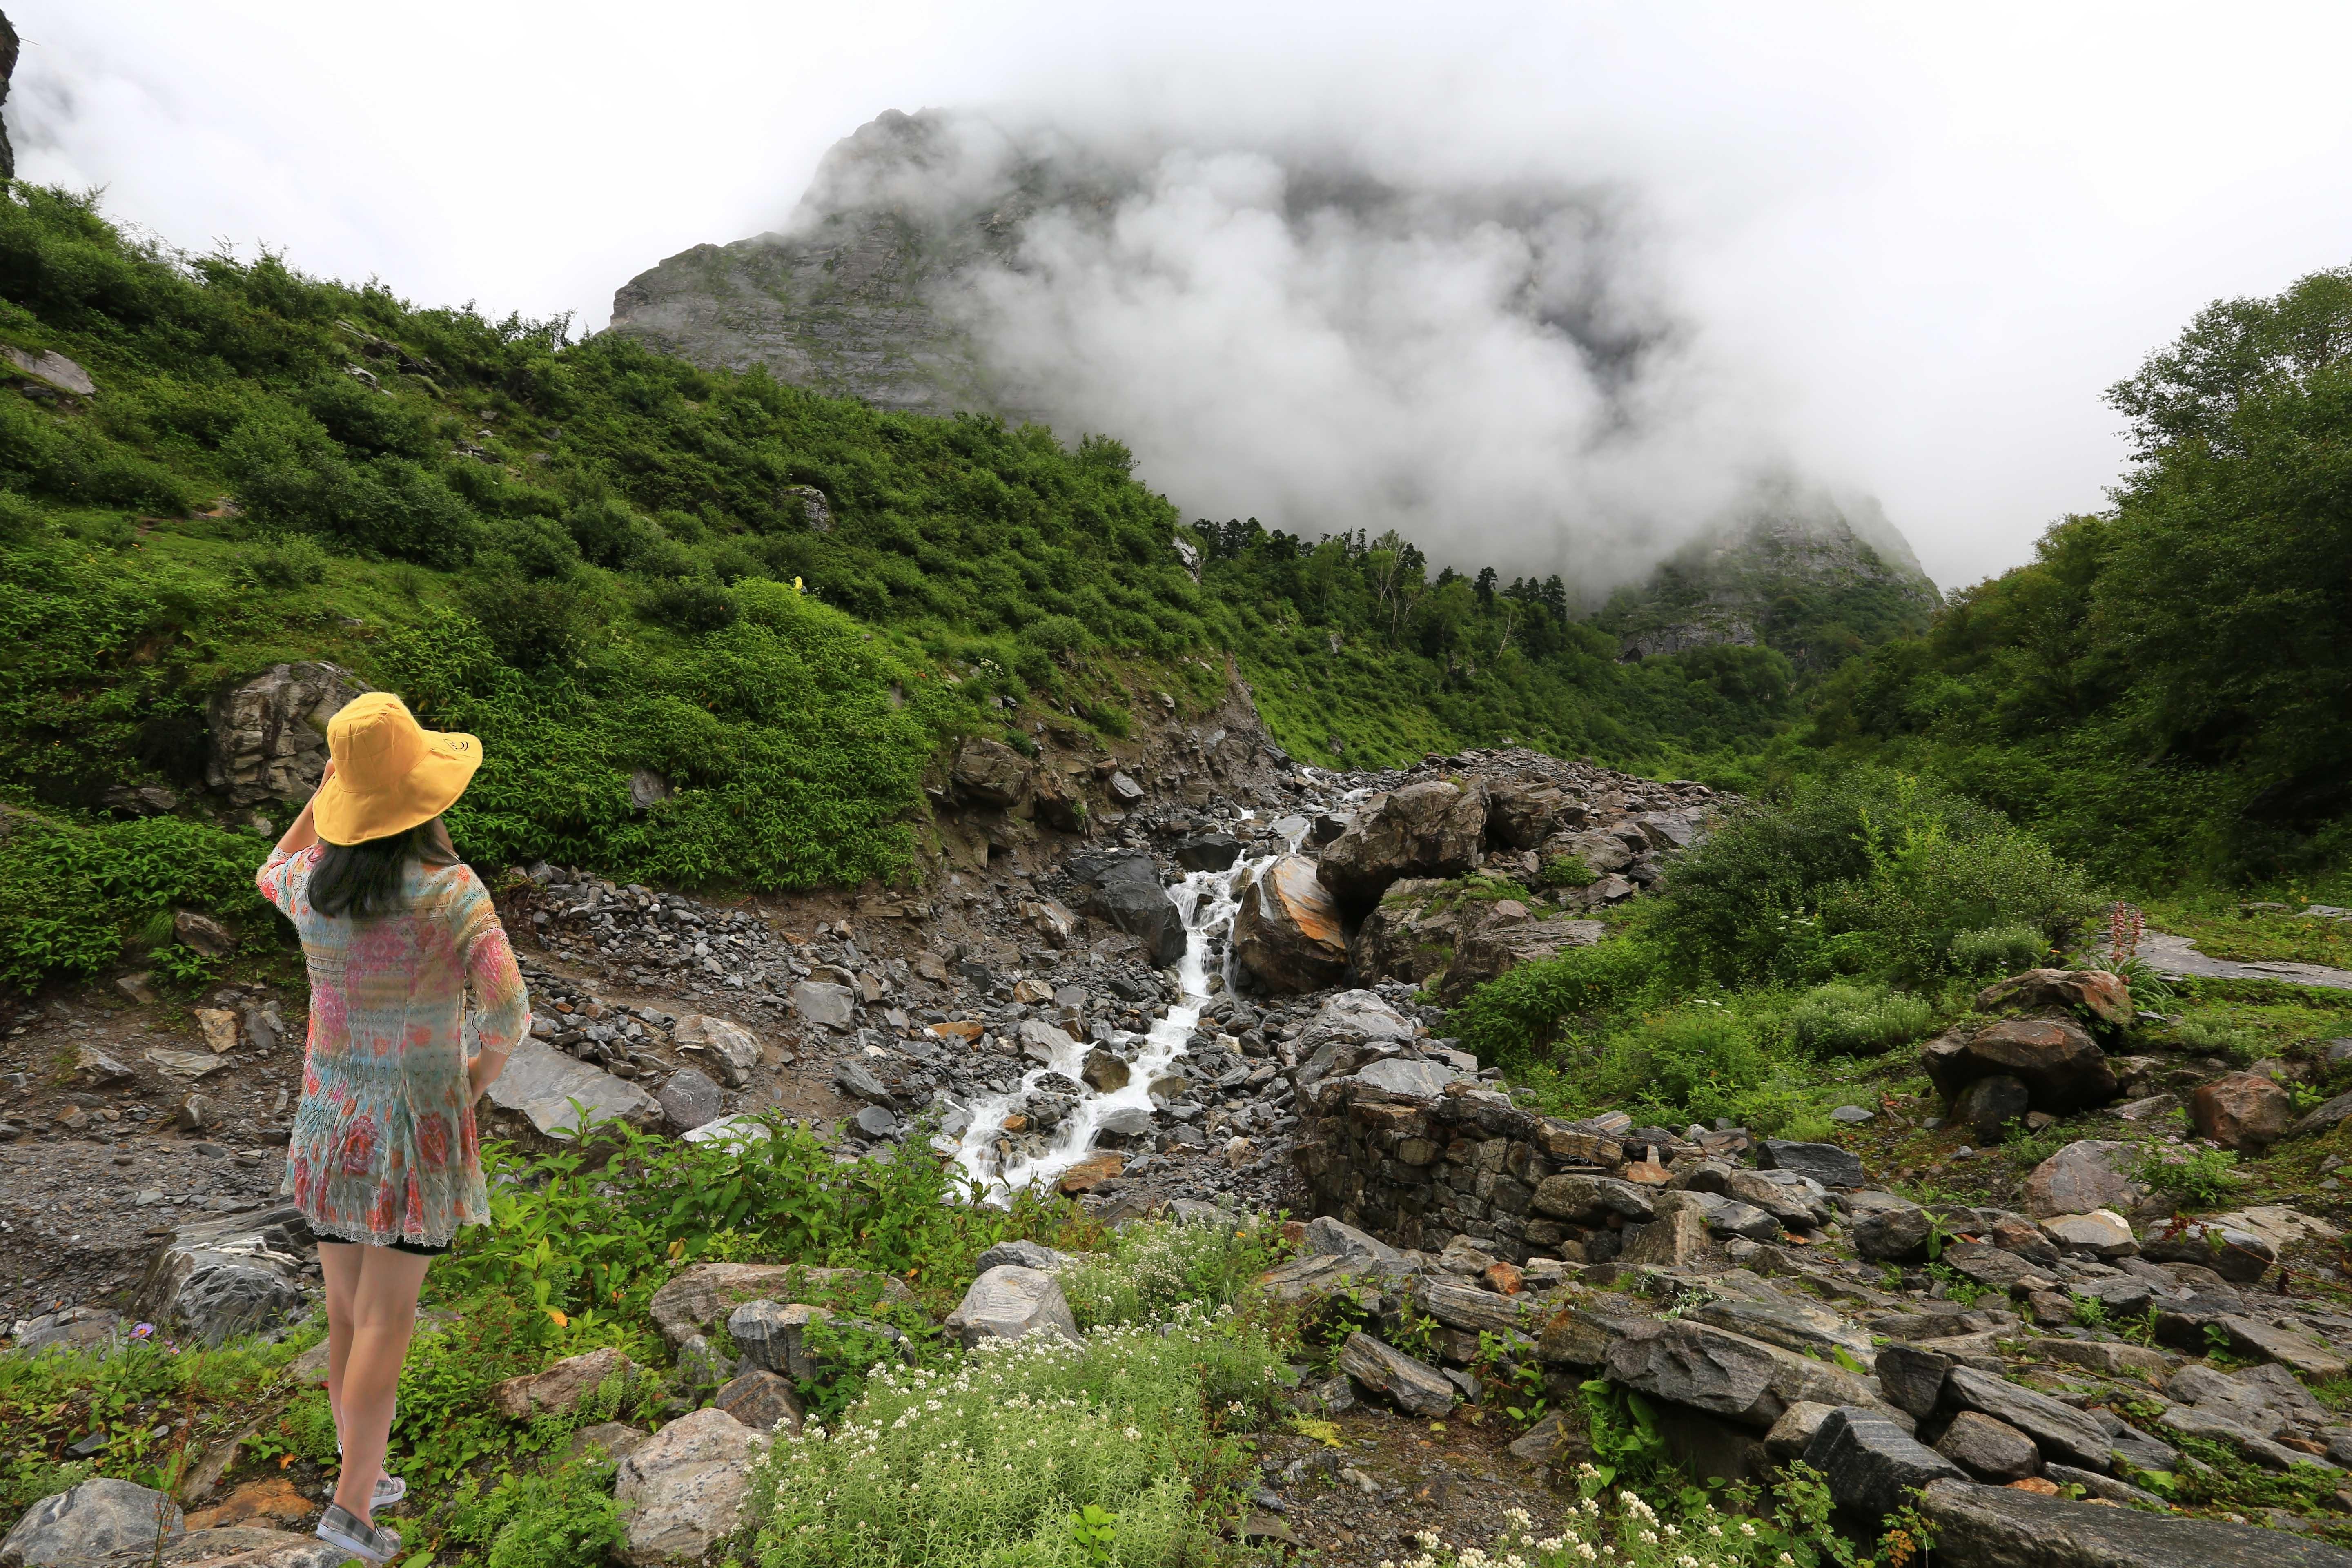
(1923, 239)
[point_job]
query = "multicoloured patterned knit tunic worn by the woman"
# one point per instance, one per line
(385, 1146)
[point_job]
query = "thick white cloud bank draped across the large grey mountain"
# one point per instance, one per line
(1285, 328)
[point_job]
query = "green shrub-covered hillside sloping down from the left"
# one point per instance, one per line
(608, 561)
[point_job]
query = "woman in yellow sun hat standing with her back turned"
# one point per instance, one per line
(385, 1155)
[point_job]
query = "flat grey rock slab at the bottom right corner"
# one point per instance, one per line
(1996, 1527)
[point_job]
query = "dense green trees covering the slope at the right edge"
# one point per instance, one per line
(2160, 690)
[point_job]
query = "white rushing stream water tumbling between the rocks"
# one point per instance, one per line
(1208, 904)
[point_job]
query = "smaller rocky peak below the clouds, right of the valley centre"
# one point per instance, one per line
(1798, 570)
